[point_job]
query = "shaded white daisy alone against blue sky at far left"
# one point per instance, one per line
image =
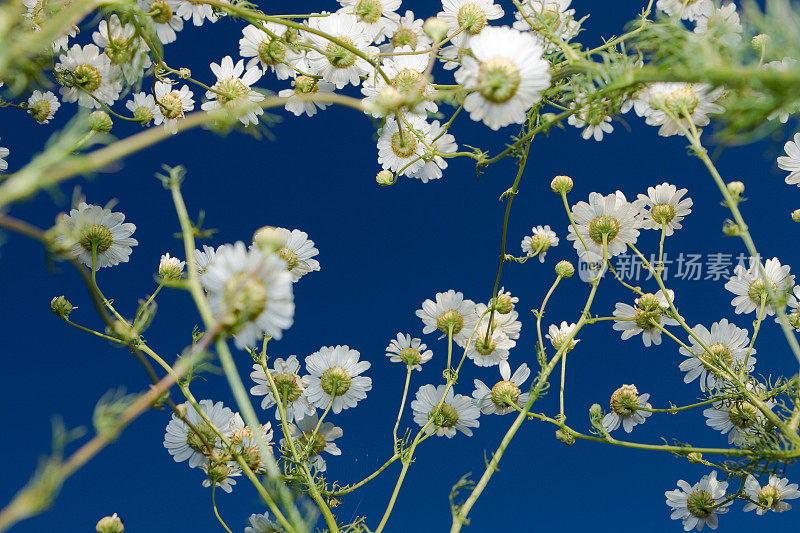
(90, 229)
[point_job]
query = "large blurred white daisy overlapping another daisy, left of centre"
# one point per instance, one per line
(251, 294)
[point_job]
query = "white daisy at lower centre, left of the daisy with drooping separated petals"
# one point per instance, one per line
(457, 412)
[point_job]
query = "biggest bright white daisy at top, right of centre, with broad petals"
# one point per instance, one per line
(505, 76)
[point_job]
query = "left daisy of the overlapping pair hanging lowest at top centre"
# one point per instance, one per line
(402, 149)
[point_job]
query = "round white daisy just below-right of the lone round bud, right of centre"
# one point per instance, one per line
(612, 216)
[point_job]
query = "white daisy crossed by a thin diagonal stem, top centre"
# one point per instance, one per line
(337, 64)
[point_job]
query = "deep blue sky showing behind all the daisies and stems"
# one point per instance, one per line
(382, 251)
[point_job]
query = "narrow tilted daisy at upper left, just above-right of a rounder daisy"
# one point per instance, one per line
(127, 52)
